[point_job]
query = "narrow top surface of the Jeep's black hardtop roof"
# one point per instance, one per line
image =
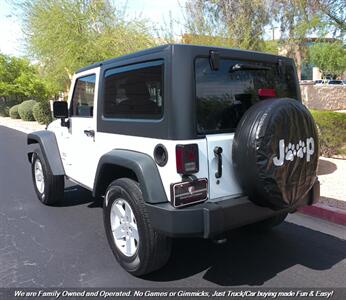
(168, 47)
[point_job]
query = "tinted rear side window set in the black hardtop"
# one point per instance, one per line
(135, 93)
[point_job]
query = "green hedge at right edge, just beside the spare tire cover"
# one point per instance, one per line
(332, 132)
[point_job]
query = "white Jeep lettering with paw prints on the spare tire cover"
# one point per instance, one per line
(290, 151)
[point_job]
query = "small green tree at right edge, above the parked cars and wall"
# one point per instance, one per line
(329, 58)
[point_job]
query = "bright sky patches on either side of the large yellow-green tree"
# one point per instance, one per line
(157, 11)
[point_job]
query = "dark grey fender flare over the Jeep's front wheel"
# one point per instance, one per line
(44, 141)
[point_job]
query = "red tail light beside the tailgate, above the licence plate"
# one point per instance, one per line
(187, 159)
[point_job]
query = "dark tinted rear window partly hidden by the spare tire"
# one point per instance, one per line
(224, 95)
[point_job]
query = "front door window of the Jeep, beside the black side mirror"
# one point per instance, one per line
(83, 97)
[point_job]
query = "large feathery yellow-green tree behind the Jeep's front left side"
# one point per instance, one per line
(65, 35)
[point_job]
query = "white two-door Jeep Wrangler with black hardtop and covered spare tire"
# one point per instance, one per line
(181, 141)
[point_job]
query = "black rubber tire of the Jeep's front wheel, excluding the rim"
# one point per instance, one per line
(53, 190)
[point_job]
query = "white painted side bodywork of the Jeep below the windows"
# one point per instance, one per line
(84, 172)
